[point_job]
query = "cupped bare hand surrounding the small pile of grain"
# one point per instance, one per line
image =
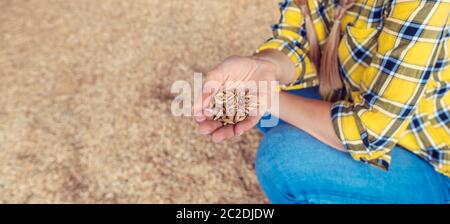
(245, 71)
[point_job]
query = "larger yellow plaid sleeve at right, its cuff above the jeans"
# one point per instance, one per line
(393, 84)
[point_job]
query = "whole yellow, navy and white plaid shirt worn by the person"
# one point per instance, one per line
(394, 59)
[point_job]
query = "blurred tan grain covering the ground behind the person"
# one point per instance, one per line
(85, 100)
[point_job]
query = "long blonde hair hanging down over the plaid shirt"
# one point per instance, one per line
(326, 62)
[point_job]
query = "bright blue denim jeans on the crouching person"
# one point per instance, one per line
(295, 168)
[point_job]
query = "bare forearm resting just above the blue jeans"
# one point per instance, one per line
(310, 115)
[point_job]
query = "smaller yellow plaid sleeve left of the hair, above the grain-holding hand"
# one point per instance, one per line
(289, 37)
